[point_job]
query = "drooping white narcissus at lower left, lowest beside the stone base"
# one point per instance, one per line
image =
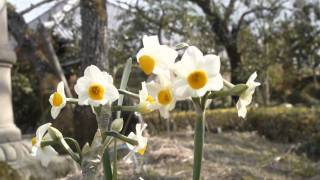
(44, 154)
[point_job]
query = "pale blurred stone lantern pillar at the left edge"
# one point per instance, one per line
(11, 147)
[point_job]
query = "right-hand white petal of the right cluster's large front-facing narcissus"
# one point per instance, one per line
(211, 64)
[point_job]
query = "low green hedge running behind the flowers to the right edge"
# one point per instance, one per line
(276, 123)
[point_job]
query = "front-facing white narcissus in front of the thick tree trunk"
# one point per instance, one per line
(96, 87)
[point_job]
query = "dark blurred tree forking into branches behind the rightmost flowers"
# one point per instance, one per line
(227, 27)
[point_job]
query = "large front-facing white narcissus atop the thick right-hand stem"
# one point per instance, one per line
(197, 74)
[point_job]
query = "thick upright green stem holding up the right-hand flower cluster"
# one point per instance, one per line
(198, 144)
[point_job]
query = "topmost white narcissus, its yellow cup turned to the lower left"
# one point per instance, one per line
(155, 58)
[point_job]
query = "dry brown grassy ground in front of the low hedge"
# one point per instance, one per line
(231, 155)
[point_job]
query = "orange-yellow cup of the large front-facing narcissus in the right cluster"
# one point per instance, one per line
(197, 79)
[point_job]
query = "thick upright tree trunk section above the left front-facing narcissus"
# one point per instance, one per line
(94, 33)
